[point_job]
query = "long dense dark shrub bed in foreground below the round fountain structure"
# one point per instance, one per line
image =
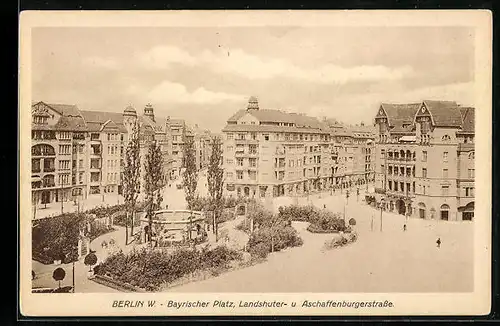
(150, 270)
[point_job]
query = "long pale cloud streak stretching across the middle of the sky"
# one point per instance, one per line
(250, 66)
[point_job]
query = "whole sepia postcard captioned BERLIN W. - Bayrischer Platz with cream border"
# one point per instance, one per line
(198, 163)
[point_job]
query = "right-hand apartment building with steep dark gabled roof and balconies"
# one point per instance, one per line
(425, 159)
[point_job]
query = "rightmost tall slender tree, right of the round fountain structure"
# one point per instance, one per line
(216, 182)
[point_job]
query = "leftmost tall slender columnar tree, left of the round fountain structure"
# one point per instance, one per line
(131, 176)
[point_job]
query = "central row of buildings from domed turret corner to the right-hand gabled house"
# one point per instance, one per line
(271, 153)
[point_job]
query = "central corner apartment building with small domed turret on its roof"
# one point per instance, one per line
(274, 153)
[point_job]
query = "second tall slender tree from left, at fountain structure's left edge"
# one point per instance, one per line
(153, 178)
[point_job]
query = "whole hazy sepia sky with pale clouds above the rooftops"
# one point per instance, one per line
(206, 74)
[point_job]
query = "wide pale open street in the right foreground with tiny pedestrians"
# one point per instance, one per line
(387, 261)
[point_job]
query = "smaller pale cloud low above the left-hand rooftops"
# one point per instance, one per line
(170, 92)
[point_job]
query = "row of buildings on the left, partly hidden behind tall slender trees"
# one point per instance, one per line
(77, 153)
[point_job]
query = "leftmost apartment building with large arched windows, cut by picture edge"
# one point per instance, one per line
(59, 146)
